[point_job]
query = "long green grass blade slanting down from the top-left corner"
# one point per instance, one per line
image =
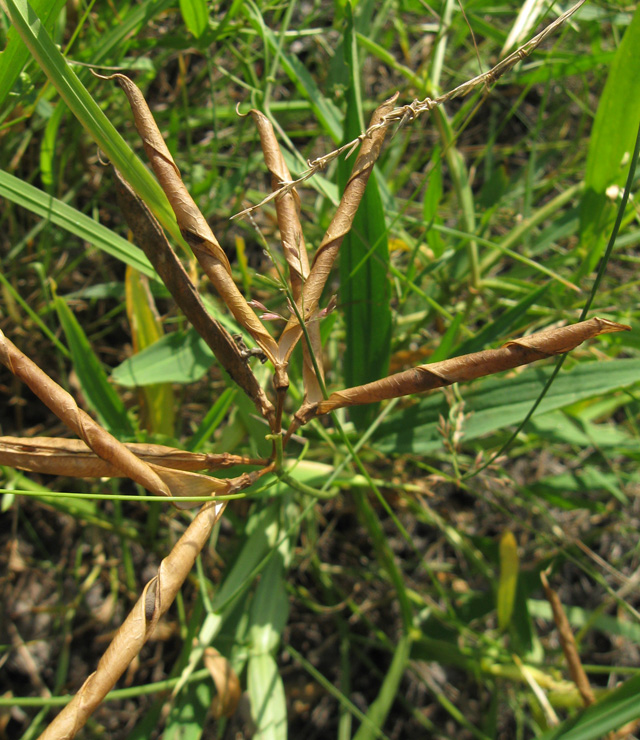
(87, 111)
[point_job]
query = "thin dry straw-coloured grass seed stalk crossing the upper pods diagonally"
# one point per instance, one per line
(411, 111)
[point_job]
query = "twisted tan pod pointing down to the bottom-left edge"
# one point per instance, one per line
(157, 597)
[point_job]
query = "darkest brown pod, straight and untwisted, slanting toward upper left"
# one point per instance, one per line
(151, 239)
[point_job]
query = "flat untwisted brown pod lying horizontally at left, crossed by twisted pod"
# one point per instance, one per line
(72, 457)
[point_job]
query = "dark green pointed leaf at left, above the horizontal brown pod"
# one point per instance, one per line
(99, 393)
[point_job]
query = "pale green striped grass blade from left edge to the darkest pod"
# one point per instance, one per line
(38, 202)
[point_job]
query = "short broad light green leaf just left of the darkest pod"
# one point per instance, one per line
(179, 357)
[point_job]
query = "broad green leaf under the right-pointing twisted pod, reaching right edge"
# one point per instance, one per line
(497, 403)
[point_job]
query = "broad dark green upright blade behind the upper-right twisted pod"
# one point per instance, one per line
(365, 290)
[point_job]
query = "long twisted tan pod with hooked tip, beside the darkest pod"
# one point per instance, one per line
(192, 223)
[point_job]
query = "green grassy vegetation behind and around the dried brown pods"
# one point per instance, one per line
(413, 608)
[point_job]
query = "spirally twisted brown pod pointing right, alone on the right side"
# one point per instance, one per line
(537, 346)
